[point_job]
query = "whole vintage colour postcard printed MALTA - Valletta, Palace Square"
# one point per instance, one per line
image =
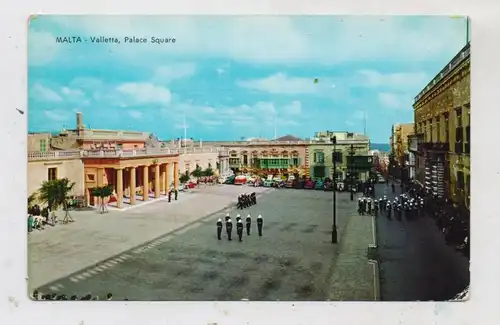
(259, 158)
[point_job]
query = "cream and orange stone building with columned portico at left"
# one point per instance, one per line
(137, 164)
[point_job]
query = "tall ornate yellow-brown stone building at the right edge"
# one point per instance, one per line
(442, 131)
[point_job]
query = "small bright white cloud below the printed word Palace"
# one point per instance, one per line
(145, 93)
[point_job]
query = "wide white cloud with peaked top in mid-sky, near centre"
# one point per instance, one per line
(280, 83)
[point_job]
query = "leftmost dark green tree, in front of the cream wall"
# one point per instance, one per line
(56, 194)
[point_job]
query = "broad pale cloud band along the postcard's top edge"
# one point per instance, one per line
(285, 39)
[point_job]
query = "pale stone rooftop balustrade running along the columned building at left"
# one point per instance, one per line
(112, 153)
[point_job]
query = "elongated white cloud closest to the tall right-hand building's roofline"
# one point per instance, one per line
(401, 80)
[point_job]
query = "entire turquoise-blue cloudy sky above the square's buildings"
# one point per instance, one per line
(236, 76)
